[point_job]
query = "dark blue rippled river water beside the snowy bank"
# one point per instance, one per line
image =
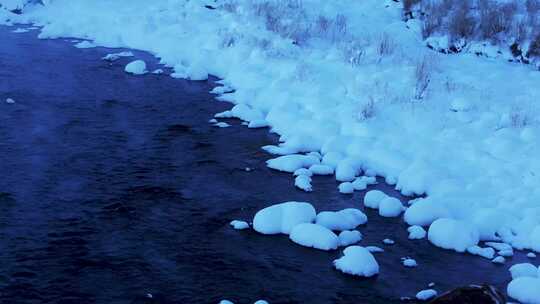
(115, 186)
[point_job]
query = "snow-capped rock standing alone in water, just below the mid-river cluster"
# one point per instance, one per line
(357, 261)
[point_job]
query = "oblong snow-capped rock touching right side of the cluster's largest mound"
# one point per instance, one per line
(346, 219)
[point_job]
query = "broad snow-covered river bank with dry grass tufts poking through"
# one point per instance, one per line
(469, 142)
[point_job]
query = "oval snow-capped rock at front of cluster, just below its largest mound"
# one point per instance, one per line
(313, 235)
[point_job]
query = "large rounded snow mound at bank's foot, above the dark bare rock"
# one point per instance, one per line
(452, 234)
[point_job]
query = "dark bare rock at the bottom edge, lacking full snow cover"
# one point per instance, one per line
(472, 294)
